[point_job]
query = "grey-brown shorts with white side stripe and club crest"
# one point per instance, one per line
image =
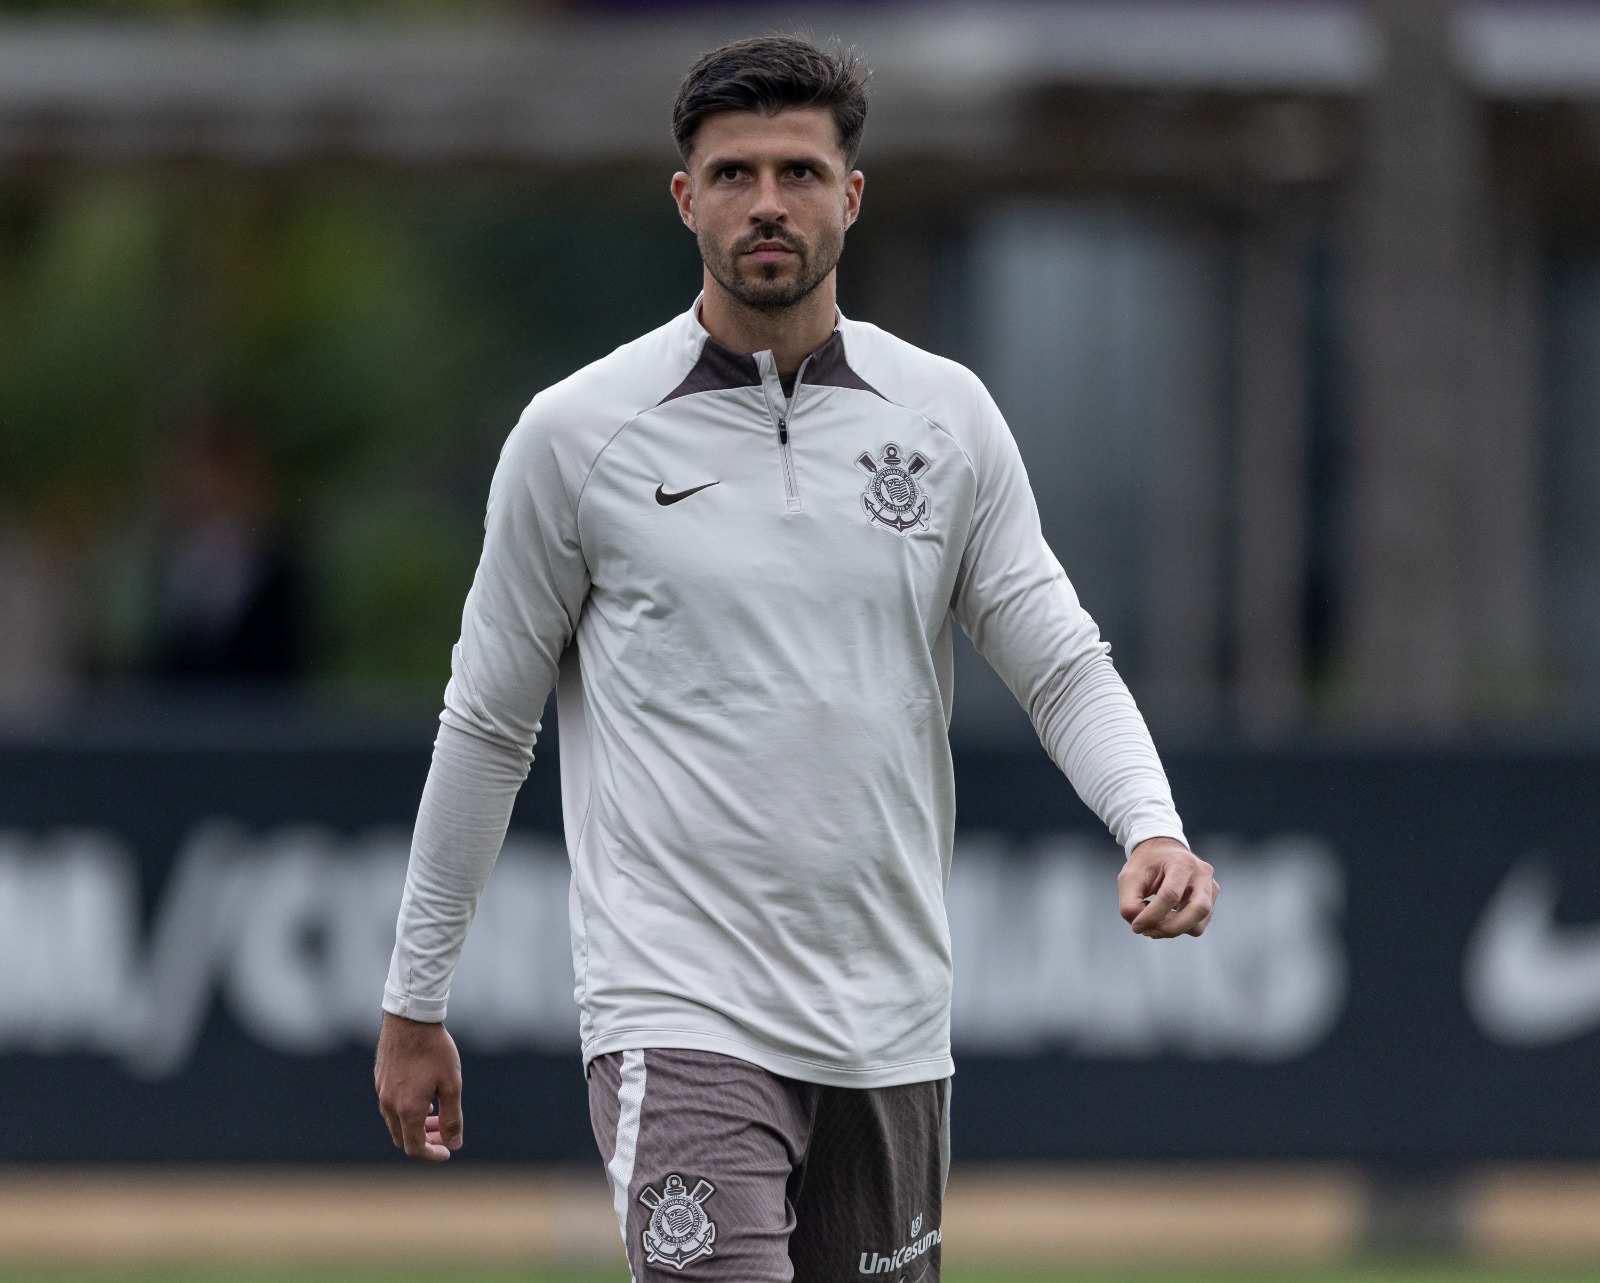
(722, 1170)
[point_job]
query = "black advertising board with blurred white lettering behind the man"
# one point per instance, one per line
(1406, 967)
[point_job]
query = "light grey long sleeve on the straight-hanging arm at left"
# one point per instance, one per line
(521, 615)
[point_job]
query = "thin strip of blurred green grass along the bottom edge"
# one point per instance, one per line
(1350, 1274)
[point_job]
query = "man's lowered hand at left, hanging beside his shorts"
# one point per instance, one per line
(418, 1065)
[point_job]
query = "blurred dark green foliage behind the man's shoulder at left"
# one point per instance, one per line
(377, 337)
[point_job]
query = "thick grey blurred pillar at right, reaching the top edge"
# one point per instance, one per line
(1418, 303)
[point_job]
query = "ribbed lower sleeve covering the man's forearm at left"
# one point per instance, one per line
(460, 828)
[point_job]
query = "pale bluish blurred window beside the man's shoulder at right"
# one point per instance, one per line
(1098, 334)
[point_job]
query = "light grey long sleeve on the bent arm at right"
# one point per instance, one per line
(1015, 602)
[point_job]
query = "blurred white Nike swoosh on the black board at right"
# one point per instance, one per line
(1529, 981)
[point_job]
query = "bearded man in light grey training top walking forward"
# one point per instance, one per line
(737, 548)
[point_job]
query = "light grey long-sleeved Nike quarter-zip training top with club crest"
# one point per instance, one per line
(745, 602)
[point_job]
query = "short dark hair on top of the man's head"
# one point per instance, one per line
(770, 74)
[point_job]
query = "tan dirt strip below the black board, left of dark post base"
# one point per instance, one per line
(564, 1217)
